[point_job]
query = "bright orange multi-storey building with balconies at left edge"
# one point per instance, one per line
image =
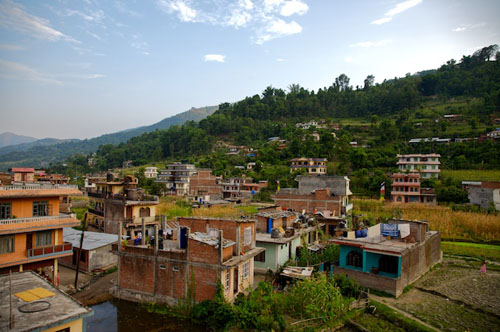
(31, 227)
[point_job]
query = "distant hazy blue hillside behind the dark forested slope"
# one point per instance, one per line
(41, 153)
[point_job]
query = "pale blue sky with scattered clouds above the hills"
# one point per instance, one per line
(80, 69)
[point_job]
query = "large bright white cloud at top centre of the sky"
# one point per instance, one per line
(266, 18)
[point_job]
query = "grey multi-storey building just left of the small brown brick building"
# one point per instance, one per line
(176, 177)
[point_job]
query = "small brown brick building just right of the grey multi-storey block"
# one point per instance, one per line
(204, 186)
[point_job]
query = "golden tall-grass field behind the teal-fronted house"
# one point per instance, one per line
(453, 225)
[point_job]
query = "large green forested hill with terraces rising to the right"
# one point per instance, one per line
(380, 117)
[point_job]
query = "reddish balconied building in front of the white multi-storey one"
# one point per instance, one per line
(406, 189)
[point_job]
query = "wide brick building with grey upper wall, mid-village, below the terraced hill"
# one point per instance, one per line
(316, 193)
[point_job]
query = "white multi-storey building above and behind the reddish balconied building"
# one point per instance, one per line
(425, 164)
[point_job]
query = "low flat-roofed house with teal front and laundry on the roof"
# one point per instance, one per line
(391, 256)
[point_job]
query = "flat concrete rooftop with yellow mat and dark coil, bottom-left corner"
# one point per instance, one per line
(63, 308)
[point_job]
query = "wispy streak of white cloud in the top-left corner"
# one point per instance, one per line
(13, 16)
